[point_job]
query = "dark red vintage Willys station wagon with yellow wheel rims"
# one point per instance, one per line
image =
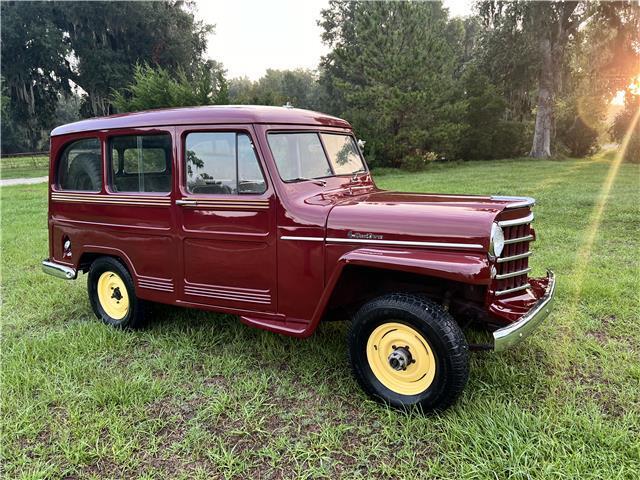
(272, 214)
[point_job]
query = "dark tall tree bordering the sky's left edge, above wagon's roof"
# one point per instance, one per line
(110, 38)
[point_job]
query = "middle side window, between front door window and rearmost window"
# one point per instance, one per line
(140, 163)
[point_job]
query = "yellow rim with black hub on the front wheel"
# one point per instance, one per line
(410, 350)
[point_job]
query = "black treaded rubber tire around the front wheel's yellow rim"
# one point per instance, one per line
(444, 338)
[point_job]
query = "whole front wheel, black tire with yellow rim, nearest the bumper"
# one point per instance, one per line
(406, 350)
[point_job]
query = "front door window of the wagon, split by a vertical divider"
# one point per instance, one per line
(222, 163)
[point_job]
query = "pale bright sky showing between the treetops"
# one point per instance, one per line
(253, 35)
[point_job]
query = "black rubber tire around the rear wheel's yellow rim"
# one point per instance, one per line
(134, 317)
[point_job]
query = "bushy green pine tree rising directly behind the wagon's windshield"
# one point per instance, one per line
(392, 71)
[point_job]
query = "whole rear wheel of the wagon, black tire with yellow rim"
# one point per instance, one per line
(112, 294)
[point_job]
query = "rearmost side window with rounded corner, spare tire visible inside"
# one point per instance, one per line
(80, 166)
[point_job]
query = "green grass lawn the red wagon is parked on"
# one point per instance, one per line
(198, 395)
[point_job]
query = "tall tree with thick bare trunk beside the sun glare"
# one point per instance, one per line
(531, 46)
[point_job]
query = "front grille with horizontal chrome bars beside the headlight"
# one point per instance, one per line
(513, 264)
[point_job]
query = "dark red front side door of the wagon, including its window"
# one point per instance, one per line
(226, 215)
